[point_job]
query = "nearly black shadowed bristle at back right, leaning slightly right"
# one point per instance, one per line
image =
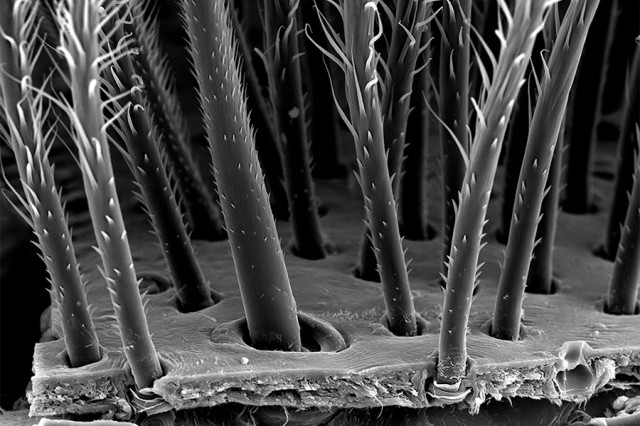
(587, 102)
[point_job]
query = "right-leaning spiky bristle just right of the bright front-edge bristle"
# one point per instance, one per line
(545, 127)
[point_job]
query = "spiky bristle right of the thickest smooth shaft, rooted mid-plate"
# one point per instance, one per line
(375, 181)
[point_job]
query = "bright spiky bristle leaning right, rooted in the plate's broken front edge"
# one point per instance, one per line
(491, 124)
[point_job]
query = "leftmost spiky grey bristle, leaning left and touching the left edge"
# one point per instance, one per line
(25, 117)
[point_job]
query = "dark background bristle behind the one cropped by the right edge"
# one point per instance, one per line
(627, 144)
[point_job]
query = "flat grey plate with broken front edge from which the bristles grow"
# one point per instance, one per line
(377, 369)
